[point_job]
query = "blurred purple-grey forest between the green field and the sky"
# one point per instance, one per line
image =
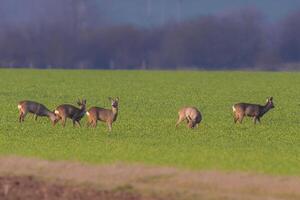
(80, 36)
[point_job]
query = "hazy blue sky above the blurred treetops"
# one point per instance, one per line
(145, 12)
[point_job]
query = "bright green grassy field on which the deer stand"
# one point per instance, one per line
(145, 132)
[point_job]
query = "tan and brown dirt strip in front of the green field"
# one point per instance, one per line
(122, 181)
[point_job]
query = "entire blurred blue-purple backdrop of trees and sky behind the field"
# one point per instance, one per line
(150, 34)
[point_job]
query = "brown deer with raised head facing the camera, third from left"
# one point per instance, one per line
(106, 115)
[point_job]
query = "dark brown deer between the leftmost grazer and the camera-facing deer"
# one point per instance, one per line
(65, 111)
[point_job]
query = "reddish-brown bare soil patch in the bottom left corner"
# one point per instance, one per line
(30, 188)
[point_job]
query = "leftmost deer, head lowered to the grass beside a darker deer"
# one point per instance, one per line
(35, 108)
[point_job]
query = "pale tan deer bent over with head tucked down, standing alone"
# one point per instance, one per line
(192, 116)
